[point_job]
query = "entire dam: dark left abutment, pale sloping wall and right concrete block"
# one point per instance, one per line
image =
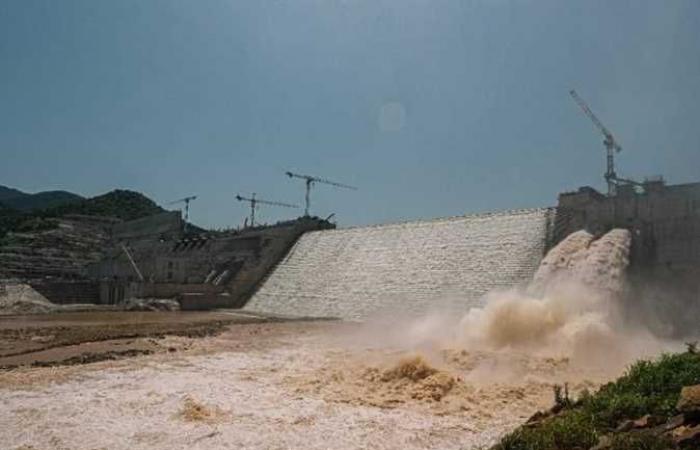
(308, 267)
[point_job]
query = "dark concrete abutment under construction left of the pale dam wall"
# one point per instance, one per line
(216, 269)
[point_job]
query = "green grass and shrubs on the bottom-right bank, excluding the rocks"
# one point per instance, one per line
(648, 387)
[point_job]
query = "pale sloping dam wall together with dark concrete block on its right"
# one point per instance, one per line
(445, 264)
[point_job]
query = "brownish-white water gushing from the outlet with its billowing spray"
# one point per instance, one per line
(571, 308)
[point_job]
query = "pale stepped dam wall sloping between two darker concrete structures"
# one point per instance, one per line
(408, 268)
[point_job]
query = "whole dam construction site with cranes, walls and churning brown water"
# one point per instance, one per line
(446, 332)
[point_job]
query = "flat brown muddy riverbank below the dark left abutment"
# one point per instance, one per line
(80, 337)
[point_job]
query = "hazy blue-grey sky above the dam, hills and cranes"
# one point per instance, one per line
(430, 107)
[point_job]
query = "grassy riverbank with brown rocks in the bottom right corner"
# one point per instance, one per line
(654, 406)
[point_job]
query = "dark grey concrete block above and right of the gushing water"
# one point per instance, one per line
(665, 222)
